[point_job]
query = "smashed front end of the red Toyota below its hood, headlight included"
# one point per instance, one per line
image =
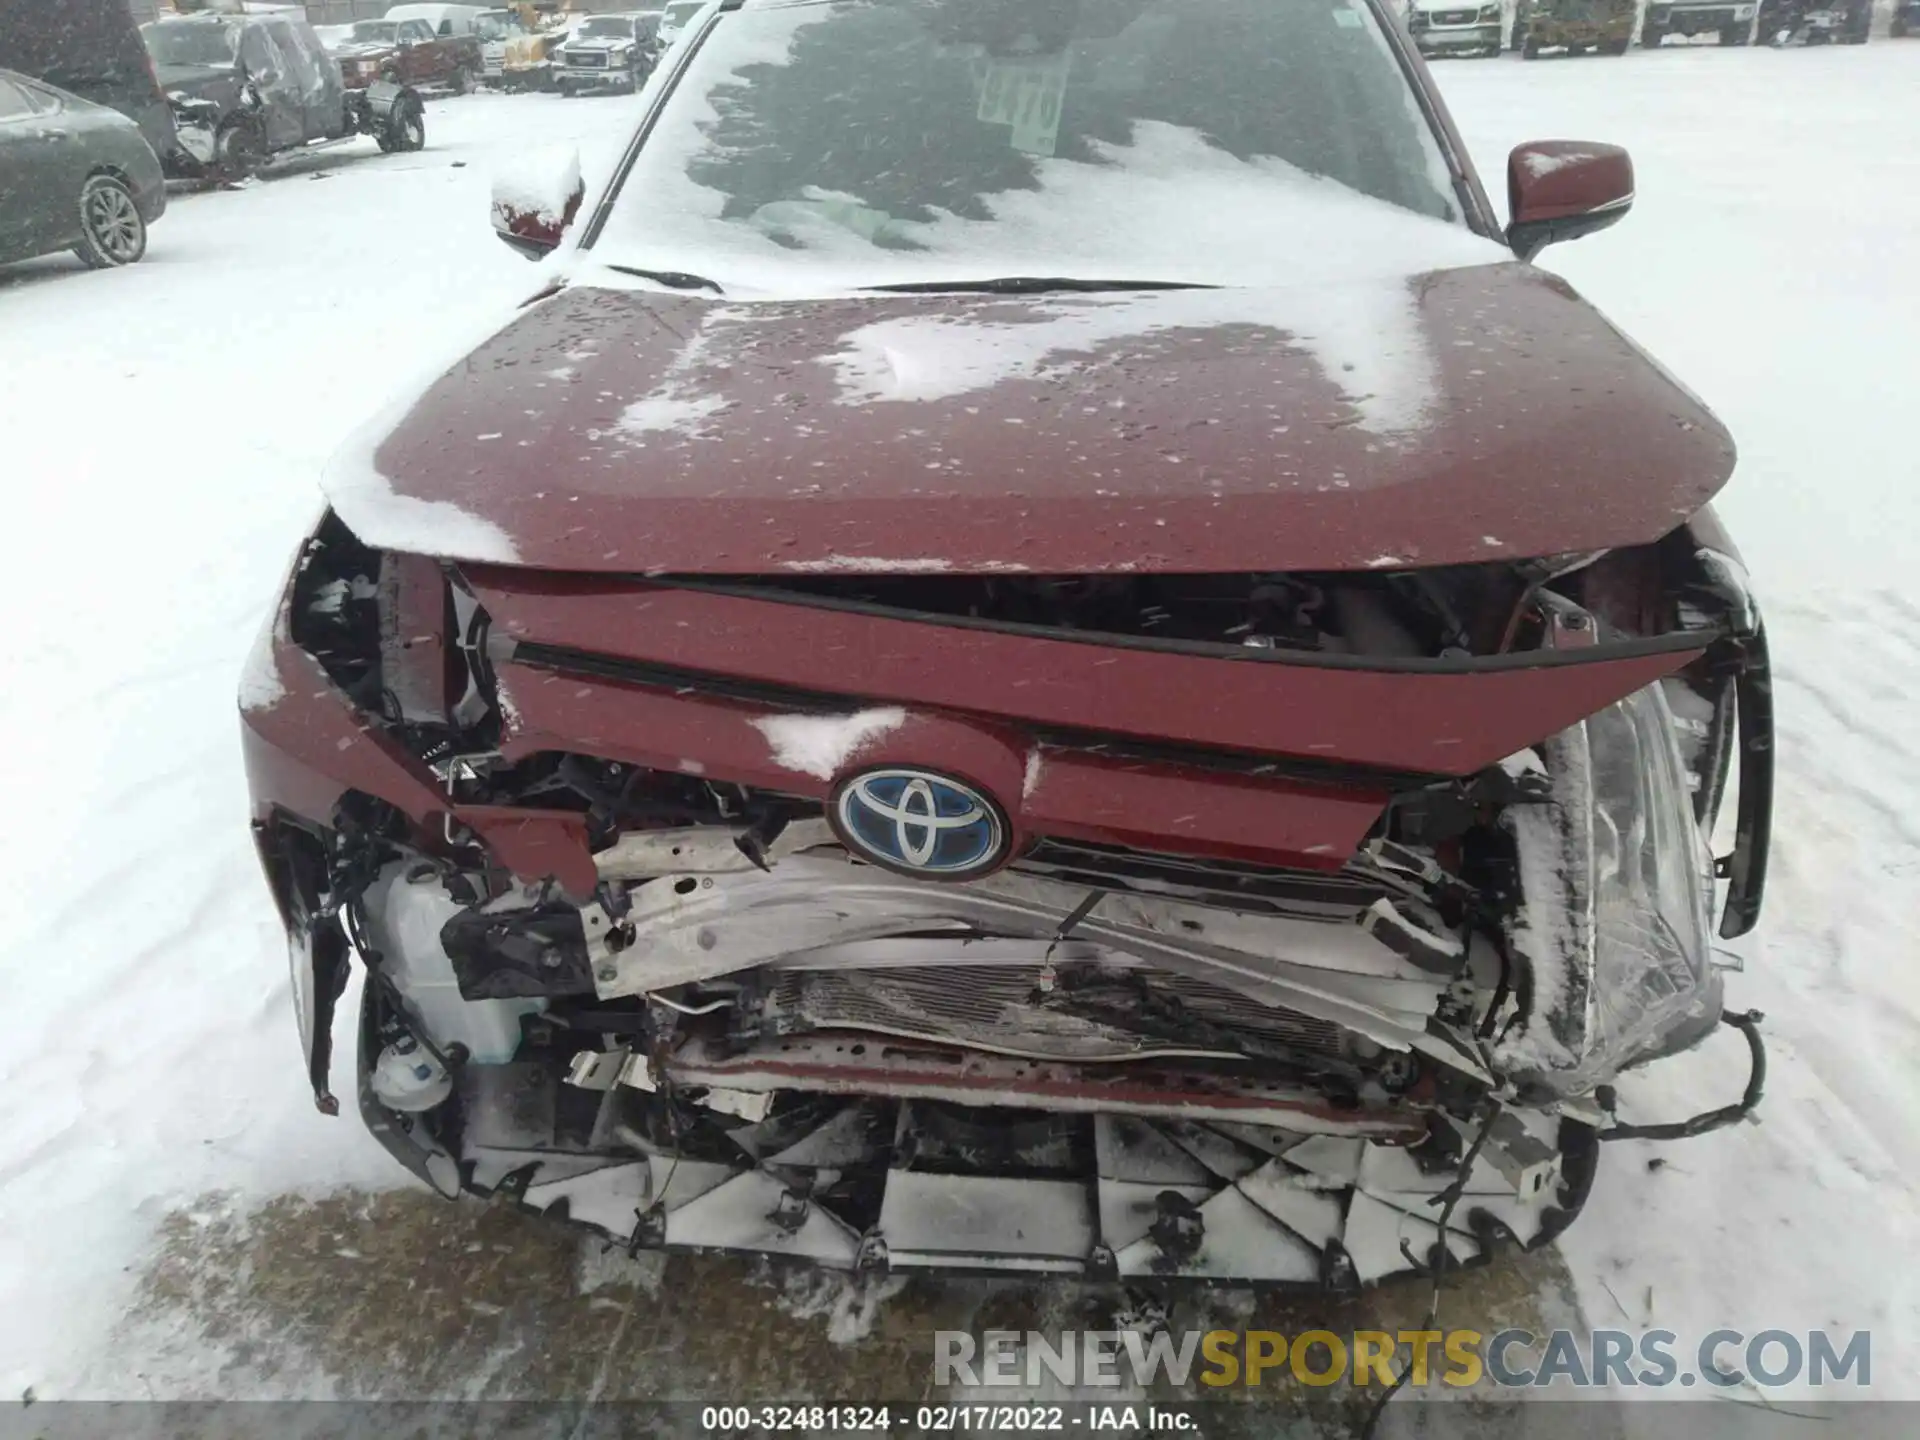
(1257, 1049)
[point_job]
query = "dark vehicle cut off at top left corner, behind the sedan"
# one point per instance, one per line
(93, 51)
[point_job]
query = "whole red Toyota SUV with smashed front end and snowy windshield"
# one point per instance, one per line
(1045, 652)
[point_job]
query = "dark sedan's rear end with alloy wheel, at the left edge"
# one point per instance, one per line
(74, 176)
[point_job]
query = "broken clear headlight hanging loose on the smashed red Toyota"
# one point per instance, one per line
(1618, 894)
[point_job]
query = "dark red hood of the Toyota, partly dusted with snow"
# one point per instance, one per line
(1464, 416)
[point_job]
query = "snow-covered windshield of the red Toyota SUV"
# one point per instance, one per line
(903, 141)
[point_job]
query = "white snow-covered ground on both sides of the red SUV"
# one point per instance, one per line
(162, 431)
